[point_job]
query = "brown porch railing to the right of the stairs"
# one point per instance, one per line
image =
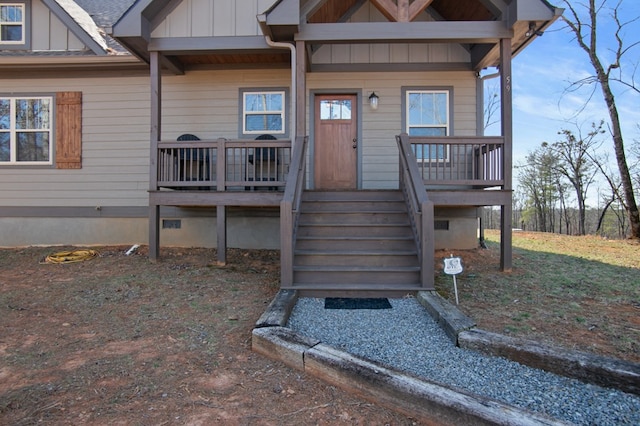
(464, 161)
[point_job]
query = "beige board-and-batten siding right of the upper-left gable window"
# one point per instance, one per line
(48, 33)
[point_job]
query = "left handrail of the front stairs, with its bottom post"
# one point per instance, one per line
(290, 208)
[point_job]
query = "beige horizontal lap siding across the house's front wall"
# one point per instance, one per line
(115, 151)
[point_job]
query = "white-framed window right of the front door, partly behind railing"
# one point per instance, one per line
(427, 114)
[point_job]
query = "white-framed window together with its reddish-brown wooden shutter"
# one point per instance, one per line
(36, 130)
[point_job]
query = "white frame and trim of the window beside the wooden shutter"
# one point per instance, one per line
(13, 131)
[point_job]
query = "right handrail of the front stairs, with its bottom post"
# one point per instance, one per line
(420, 209)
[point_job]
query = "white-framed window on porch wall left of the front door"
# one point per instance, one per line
(263, 112)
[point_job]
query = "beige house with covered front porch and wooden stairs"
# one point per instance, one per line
(347, 133)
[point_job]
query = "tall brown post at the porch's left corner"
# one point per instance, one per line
(156, 125)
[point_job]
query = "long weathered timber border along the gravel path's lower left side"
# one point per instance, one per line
(427, 401)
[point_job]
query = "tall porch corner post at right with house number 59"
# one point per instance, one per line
(506, 85)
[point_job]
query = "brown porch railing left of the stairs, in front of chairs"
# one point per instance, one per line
(223, 164)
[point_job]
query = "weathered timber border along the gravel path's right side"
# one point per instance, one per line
(598, 370)
